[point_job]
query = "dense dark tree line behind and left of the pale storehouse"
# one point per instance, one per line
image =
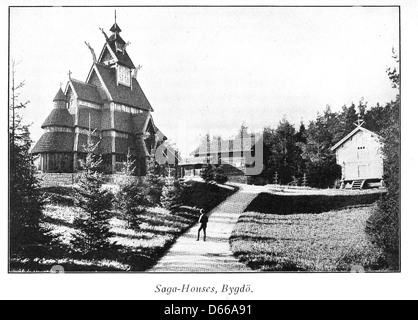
(302, 155)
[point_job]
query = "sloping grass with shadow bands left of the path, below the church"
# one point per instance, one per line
(141, 247)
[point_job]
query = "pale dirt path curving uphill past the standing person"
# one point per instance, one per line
(214, 255)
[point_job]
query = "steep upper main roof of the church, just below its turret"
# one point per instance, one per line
(119, 93)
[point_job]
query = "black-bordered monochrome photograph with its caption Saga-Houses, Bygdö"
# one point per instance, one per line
(204, 139)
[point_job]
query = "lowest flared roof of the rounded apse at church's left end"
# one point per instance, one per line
(54, 142)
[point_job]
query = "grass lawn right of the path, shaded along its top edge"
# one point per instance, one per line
(333, 240)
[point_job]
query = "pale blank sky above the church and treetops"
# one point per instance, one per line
(208, 70)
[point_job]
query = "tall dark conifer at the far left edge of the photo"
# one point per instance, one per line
(29, 238)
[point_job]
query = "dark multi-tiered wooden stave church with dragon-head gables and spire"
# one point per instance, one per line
(110, 103)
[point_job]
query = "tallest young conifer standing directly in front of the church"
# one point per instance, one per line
(93, 236)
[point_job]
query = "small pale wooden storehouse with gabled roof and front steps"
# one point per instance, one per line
(360, 156)
